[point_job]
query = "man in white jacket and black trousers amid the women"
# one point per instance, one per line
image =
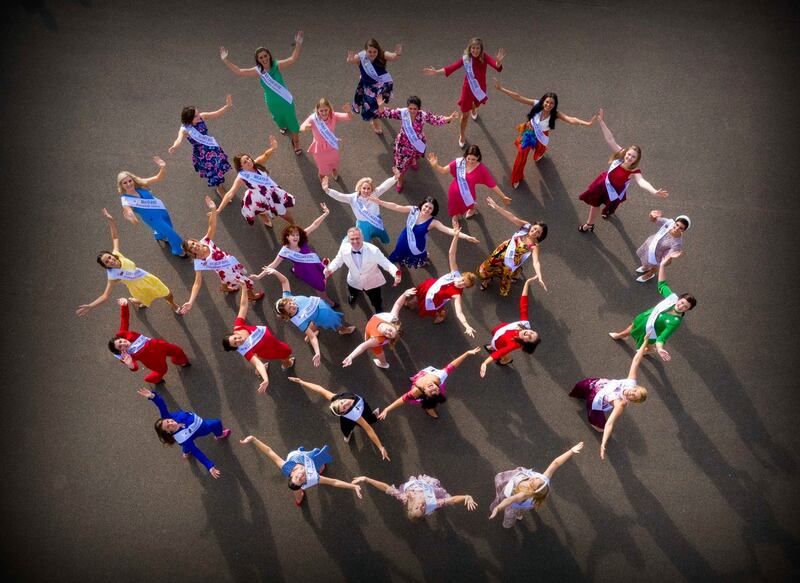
(363, 262)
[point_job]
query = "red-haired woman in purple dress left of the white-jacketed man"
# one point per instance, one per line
(306, 264)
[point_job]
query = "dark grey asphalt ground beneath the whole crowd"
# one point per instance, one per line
(700, 482)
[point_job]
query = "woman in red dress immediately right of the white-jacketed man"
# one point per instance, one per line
(433, 294)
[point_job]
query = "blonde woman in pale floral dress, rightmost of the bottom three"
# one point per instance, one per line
(524, 489)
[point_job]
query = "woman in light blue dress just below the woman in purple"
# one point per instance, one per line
(309, 314)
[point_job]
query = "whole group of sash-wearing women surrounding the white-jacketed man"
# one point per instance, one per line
(516, 490)
